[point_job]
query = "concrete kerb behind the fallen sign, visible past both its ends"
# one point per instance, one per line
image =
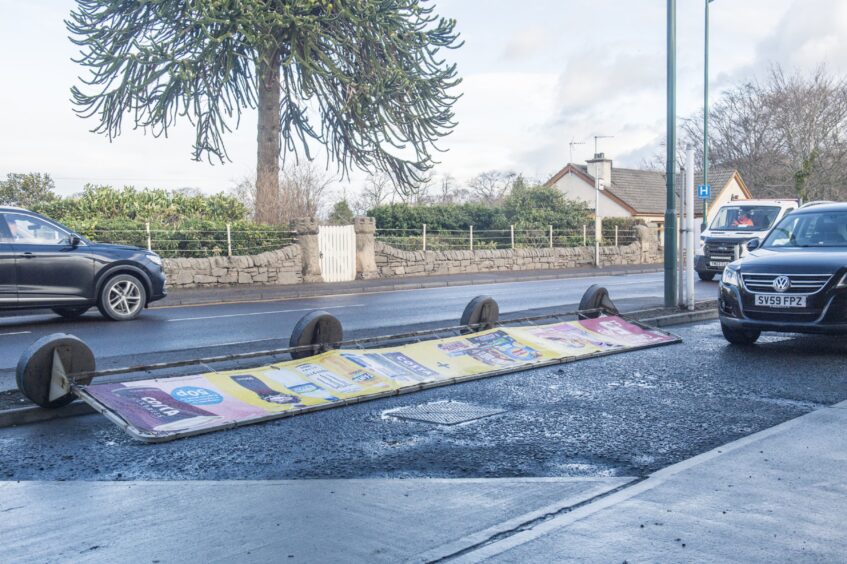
(34, 414)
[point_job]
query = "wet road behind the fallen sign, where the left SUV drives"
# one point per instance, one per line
(178, 332)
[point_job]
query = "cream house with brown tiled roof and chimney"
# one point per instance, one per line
(640, 194)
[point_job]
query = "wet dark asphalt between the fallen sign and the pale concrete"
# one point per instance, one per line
(622, 415)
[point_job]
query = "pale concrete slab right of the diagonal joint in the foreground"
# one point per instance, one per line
(777, 496)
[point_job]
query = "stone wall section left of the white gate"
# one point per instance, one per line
(284, 266)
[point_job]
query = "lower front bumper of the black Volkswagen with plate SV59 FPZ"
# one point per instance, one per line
(830, 321)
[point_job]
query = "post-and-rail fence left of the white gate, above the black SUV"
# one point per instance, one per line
(196, 243)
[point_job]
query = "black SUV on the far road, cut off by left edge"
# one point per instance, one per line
(43, 264)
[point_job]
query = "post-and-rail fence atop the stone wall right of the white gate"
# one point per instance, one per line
(424, 239)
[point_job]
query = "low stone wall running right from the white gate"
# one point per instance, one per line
(392, 263)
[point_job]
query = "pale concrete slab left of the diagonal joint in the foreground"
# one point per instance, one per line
(272, 521)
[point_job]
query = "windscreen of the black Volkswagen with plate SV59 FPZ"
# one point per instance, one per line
(820, 229)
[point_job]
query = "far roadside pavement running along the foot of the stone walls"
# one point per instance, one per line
(259, 292)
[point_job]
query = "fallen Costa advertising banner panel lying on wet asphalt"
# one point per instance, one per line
(159, 410)
